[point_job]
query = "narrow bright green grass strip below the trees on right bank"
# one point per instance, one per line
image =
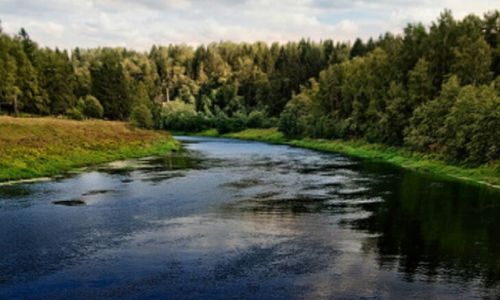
(486, 174)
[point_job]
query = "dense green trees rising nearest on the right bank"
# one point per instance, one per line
(433, 90)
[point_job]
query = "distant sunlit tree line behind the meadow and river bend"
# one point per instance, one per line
(220, 78)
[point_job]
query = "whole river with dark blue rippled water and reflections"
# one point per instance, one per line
(233, 219)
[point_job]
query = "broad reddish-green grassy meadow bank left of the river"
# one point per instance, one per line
(37, 147)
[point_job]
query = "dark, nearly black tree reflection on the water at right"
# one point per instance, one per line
(436, 229)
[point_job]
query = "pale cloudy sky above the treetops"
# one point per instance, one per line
(140, 24)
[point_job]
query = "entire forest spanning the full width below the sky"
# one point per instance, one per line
(433, 88)
